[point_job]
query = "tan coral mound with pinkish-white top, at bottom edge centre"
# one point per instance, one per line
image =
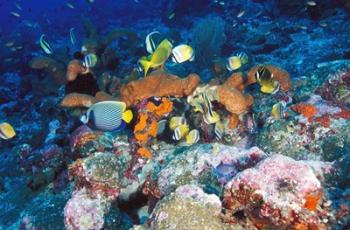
(188, 208)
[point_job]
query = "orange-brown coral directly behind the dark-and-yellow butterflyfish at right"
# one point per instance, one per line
(279, 74)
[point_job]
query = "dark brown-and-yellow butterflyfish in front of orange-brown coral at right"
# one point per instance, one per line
(266, 81)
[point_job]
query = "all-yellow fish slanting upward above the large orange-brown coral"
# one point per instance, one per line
(158, 57)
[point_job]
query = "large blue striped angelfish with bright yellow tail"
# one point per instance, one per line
(107, 115)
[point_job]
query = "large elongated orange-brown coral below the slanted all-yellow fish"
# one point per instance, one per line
(158, 84)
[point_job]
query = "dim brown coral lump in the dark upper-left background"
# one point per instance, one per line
(52, 68)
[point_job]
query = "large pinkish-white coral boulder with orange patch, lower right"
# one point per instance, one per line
(279, 191)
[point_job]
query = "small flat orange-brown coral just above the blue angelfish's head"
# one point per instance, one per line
(74, 100)
